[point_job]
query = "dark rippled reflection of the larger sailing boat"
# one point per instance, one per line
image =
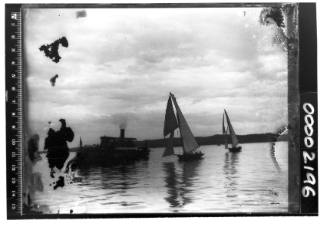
(180, 186)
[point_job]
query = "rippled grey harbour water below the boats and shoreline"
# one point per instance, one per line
(222, 182)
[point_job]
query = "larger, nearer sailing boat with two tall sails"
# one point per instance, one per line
(188, 141)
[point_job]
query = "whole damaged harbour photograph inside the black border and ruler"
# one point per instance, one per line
(158, 110)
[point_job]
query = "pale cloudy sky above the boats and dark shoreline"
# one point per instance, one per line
(121, 64)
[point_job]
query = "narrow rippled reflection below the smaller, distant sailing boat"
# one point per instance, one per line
(230, 170)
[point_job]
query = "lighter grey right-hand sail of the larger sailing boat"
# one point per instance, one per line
(188, 140)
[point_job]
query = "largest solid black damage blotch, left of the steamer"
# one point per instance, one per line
(56, 144)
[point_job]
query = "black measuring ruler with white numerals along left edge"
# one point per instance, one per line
(14, 110)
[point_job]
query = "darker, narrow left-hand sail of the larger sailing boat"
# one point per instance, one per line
(169, 127)
